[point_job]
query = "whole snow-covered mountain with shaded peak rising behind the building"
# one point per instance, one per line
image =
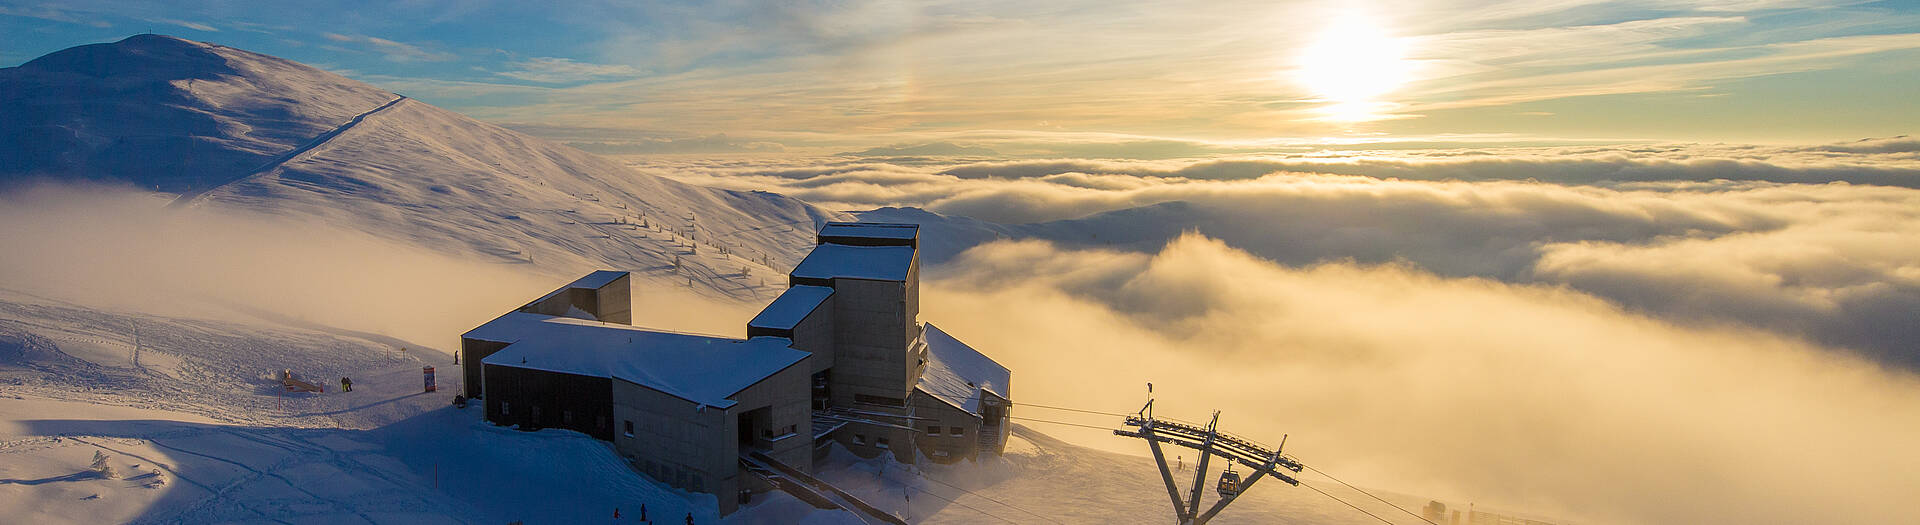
(231, 128)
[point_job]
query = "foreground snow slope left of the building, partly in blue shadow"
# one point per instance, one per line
(201, 434)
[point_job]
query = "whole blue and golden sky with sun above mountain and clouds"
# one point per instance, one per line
(1222, 74)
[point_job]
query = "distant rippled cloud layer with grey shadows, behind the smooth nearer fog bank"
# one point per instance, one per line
(1696, 236)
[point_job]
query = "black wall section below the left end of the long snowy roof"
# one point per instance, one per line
(537, 399)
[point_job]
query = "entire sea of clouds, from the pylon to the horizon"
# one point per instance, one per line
(1616, 336)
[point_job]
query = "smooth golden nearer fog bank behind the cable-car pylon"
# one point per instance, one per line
(1464, 389)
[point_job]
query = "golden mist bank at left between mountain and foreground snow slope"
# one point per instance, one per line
(130, 251)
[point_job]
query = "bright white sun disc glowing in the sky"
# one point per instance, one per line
(1351, 66)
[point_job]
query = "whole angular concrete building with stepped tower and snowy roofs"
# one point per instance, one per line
(840, 357)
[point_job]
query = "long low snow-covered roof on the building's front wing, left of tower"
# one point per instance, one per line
(698, 368)
